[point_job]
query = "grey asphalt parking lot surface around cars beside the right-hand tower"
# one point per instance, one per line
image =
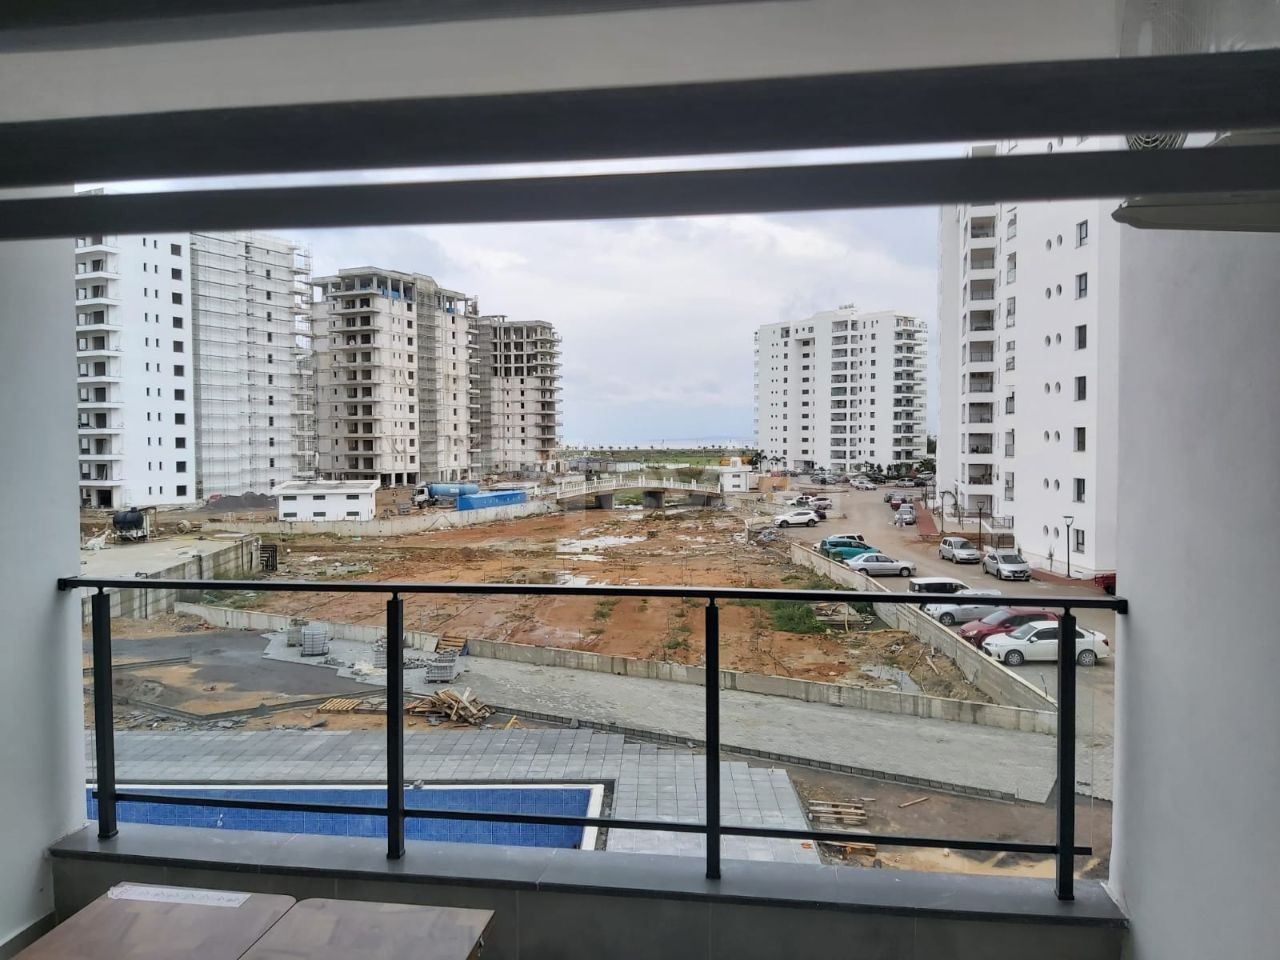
(866, 513)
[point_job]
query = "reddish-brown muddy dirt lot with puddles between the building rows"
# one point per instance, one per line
(614, 547)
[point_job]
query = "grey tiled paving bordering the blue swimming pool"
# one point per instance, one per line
(648, 781)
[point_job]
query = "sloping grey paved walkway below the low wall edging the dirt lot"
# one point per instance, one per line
(966, 755)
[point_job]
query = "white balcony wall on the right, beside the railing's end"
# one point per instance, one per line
(1197, 851)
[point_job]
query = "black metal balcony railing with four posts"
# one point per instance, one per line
(1063, 848)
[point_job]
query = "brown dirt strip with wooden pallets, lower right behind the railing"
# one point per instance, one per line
(948, 815)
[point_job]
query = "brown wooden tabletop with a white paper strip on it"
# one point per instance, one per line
(145, 922)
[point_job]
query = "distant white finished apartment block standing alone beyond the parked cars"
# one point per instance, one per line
(842, 390)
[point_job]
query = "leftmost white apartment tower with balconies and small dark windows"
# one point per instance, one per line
(135, 371)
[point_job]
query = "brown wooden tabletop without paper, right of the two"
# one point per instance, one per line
(345, 930)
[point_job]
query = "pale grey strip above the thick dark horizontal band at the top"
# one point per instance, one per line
(552, 53)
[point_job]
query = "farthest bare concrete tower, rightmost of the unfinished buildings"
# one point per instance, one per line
(516, 396)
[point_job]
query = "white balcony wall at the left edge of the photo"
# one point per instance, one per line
(42, 751)
